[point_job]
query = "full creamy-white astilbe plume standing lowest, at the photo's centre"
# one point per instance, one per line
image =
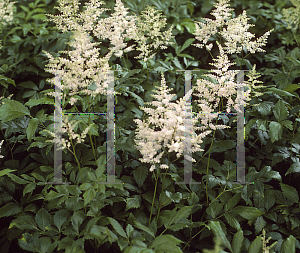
(168, 117)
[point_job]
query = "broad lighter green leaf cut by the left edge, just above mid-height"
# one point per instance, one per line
(12, 109)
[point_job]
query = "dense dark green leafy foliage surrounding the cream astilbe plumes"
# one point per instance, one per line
(84, 217)
